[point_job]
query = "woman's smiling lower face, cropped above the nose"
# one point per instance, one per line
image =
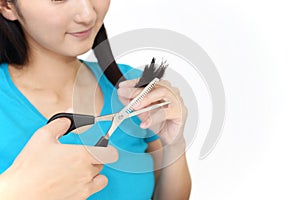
(66, 27)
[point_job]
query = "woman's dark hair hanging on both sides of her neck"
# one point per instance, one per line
(14, 49)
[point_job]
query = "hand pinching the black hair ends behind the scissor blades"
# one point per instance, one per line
(168, 122)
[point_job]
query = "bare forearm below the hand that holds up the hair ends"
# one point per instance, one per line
(173, 181)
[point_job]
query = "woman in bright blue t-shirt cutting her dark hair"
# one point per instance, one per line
(40, 75)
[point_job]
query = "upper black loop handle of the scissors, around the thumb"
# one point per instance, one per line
(77, 120)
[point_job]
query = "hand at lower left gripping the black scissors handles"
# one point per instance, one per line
(46, 169)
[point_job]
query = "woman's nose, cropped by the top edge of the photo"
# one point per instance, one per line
(85, 12)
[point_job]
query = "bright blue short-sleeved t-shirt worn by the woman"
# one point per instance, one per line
(131, 177)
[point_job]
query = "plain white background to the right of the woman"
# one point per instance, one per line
(255, 47)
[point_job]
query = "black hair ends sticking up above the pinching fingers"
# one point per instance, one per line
(150, 72)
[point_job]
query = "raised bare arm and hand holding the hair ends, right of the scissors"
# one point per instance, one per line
(172, 175)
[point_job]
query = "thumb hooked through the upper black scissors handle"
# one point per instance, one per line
(56, 128)
